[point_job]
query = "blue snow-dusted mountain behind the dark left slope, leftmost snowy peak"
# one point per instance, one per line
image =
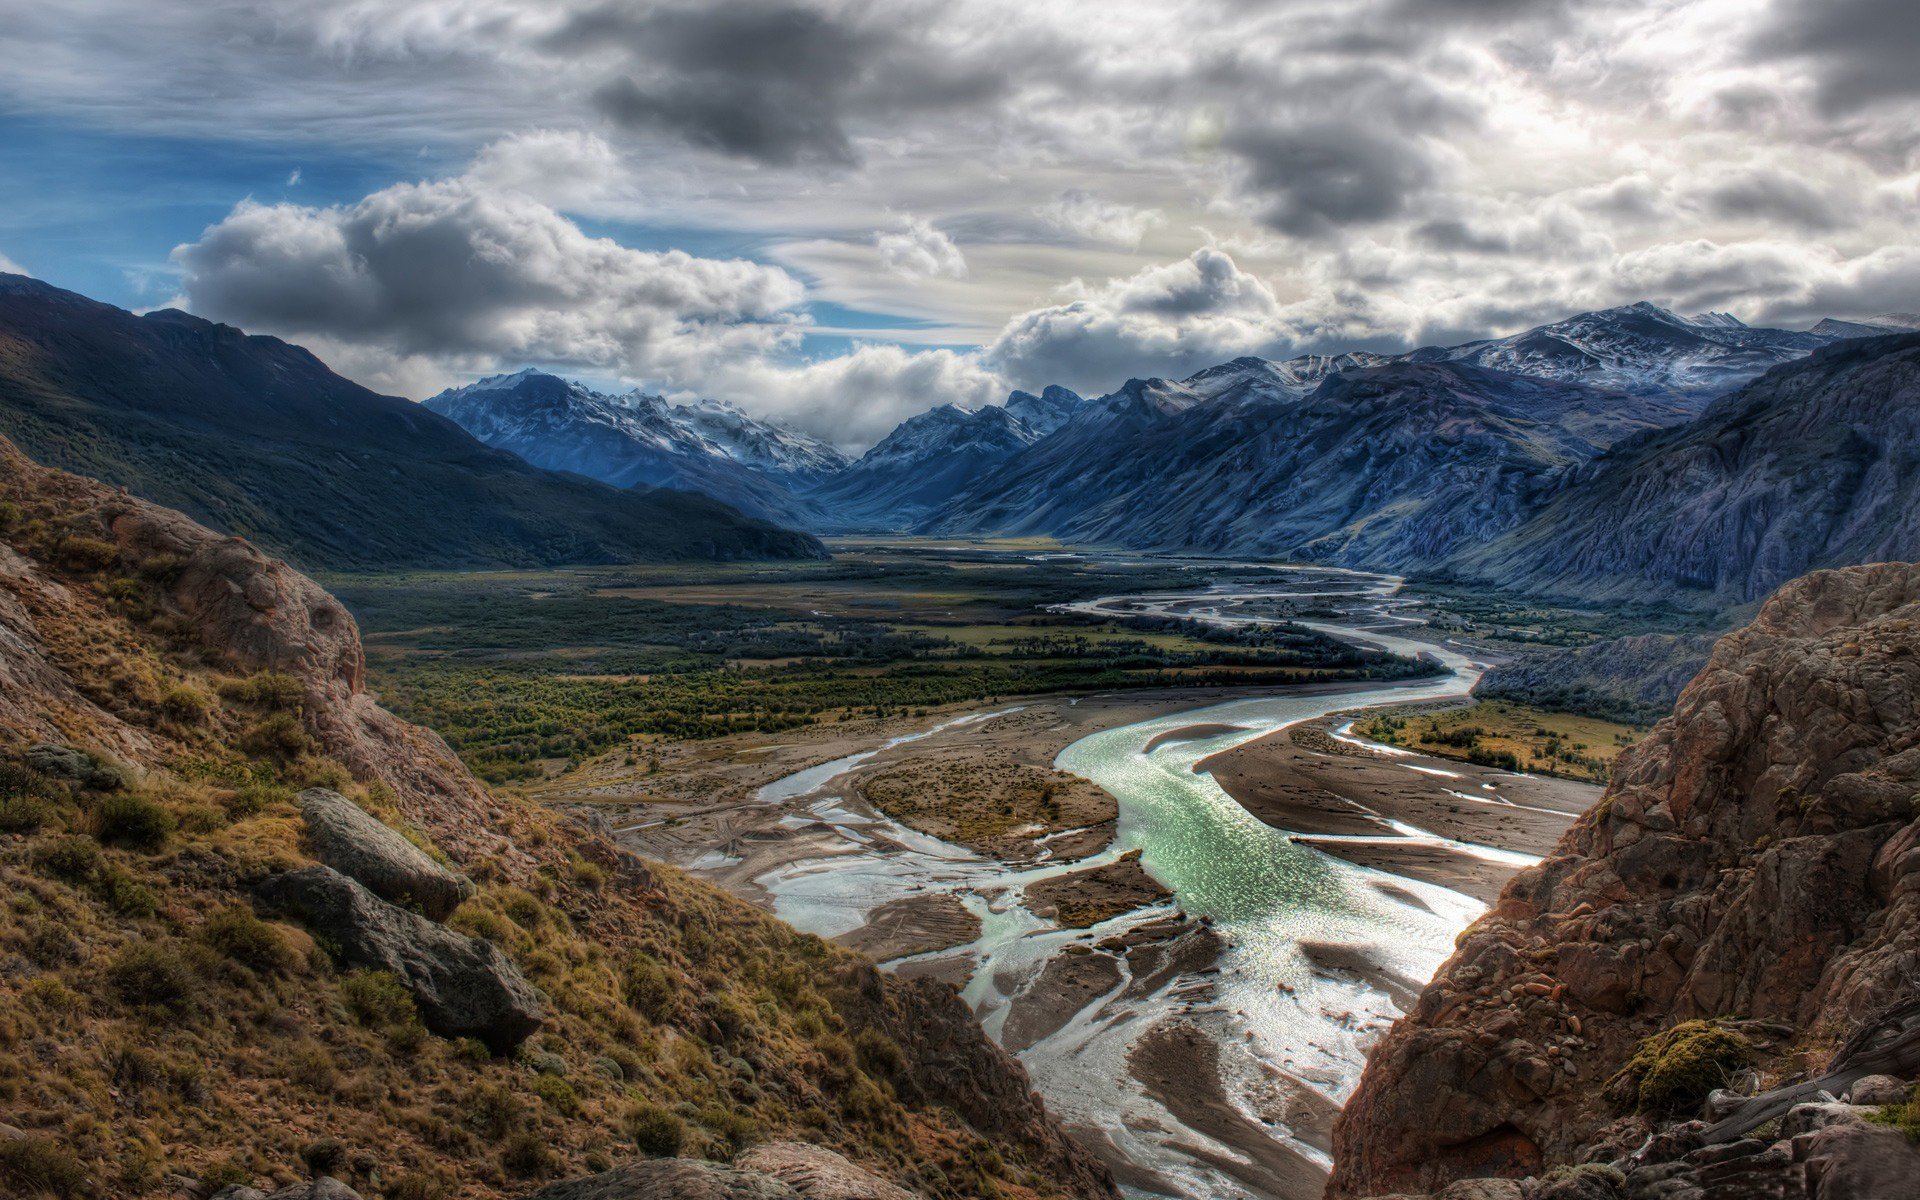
(642, 441)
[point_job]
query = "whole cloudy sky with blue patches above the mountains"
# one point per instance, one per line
(844, 212)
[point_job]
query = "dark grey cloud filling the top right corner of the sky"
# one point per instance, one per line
(1860, 51)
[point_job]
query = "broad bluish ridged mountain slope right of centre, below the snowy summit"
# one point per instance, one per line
(1389, 468)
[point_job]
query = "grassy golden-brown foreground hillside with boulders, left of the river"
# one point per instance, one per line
(468, 997)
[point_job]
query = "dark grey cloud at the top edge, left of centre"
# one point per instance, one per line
(777, 82)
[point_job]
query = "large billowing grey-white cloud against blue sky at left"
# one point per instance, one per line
(460, 270)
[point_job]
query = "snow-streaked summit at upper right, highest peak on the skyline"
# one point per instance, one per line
(1639, 348)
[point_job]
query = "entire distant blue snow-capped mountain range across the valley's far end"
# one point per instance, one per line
(1391, 462)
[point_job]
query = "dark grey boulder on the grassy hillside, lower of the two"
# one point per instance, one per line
(466, 988)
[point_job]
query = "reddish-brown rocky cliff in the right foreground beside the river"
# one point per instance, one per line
(1756, 865)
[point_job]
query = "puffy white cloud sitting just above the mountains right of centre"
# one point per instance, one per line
(1166, 320)
